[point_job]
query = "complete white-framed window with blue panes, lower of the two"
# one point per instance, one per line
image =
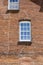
(25, 31)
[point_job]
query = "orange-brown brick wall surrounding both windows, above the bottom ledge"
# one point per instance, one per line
(9, 28)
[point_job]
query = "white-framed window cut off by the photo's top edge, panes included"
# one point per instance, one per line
(13, 4)
